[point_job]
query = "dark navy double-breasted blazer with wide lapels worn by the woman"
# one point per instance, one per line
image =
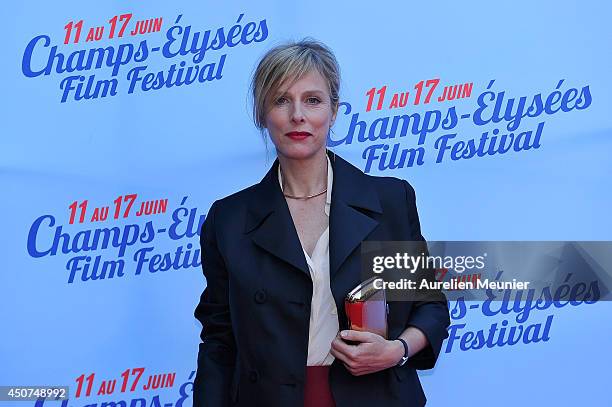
(255, 310)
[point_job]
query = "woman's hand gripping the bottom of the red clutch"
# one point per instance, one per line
(371, 354)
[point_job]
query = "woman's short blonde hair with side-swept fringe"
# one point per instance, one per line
(290, 62)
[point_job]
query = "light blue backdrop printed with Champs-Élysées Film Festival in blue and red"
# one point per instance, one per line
(123, 121)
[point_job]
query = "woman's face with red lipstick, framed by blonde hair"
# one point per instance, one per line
(299, 117)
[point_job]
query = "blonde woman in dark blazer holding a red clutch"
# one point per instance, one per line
(279, 258)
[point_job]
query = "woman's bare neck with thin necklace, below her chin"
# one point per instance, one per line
(304, 177)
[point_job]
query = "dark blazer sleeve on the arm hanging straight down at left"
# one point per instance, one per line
(217, 352)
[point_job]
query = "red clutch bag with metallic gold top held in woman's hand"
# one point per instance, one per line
(366, 308)
